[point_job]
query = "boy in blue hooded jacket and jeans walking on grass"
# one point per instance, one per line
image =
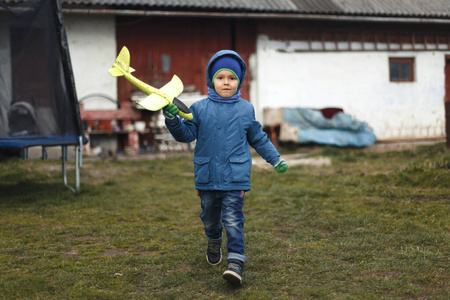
(224, 126)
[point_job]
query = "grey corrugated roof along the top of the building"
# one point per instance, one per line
(437, 9)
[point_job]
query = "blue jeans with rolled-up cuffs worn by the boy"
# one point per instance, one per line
(225, 207)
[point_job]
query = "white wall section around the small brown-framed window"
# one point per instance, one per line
(356, 81)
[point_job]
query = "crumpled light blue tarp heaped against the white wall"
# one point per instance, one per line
(340, 130)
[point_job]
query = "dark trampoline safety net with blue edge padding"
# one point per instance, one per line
(38, 102)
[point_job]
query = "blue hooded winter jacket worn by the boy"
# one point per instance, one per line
(224, 128)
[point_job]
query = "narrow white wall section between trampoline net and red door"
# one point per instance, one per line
(92, 46)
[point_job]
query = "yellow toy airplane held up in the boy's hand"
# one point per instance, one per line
(157, 98)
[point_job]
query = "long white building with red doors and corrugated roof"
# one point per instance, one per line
(382, 62)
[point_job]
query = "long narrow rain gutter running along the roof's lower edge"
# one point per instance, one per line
(237, 15)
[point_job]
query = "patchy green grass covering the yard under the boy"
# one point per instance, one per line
(370, 226)
